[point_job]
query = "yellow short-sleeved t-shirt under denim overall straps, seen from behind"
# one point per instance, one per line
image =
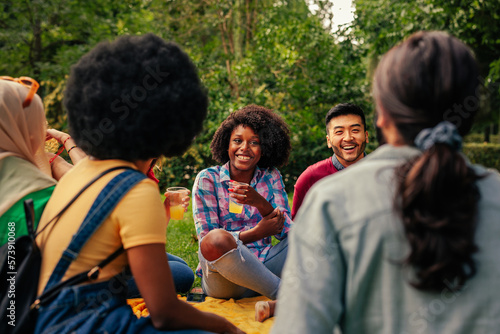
(138, 219)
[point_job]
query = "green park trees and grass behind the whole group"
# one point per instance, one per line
(287, 55)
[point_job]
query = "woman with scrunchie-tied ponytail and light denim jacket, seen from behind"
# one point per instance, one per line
(407, 240)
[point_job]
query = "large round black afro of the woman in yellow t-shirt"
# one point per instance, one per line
(135, 98)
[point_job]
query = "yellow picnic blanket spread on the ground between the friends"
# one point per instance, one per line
(240, 312)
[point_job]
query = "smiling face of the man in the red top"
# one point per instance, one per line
(347, 137)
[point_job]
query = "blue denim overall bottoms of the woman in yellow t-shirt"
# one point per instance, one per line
(95, 308)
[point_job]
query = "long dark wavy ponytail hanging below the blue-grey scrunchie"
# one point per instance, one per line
(437, 199)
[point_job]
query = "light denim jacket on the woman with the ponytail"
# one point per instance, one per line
(345, 249)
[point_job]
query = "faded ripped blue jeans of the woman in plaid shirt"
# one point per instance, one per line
(240, 274)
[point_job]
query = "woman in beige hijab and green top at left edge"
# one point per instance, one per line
(25, 171)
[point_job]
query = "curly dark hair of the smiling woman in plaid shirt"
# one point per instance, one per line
(273, 132)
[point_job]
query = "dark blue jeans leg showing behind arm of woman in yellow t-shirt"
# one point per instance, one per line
(183, 277)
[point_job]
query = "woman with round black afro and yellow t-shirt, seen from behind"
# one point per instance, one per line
(129, 101)
